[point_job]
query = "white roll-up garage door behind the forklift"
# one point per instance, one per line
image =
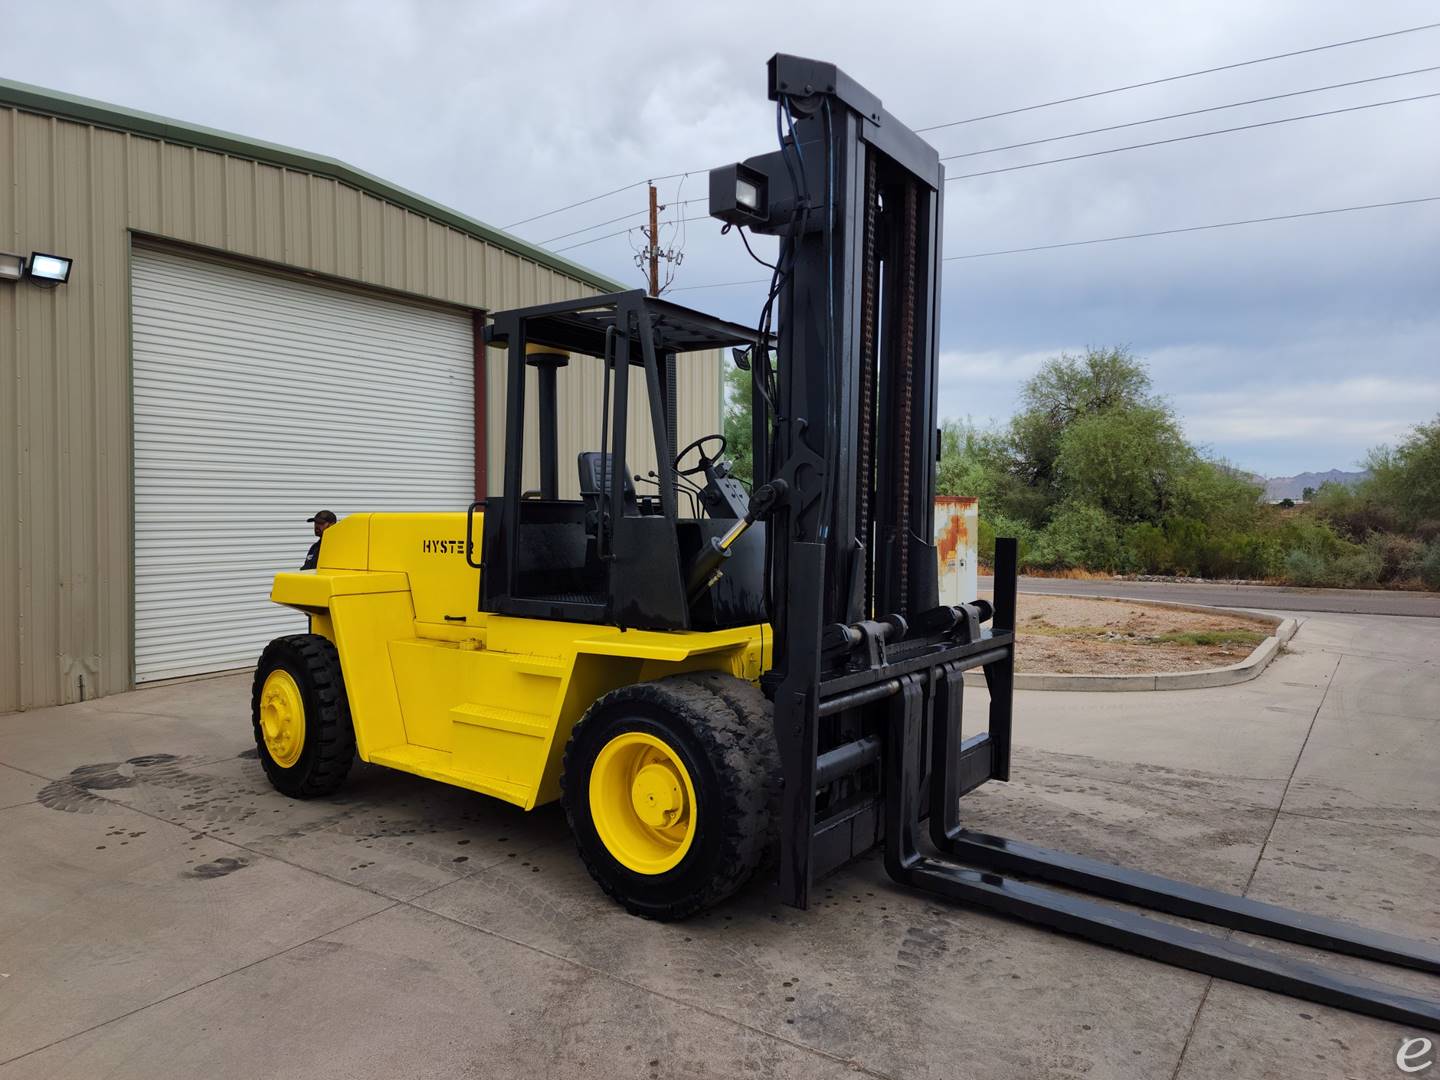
(258, 401)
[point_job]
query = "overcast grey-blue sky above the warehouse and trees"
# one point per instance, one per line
(1285, 348)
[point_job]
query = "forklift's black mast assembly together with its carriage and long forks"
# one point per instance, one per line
(868, 678)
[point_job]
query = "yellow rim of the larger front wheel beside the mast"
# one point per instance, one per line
(643, 803)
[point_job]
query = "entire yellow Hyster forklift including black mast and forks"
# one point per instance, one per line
(714, 679)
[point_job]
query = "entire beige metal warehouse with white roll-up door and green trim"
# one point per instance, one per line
(250, 333)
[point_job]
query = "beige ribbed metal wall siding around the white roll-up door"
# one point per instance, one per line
(66, 390)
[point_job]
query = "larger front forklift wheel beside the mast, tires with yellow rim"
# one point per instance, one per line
(670, 791)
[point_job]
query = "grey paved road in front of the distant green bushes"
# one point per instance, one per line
(1266, 597)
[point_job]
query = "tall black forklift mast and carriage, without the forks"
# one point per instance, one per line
(846, 417)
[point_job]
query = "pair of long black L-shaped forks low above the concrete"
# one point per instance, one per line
(978, 868)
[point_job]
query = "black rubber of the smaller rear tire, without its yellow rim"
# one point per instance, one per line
(330, 739)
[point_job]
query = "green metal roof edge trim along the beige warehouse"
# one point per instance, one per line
(55, 104)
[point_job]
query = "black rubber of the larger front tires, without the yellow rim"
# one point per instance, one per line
(732, 722)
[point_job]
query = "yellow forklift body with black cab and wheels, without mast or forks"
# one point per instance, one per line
(469, 647)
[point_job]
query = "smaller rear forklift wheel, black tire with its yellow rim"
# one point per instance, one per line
(302, 716)
